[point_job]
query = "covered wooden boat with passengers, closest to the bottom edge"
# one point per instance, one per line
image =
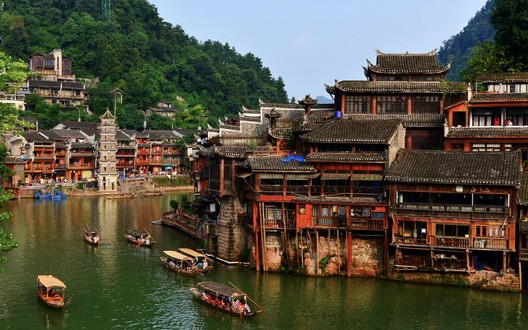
(225, 298)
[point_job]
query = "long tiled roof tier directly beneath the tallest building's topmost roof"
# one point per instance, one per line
(361, 86)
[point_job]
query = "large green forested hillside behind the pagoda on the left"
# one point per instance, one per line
(131, 48)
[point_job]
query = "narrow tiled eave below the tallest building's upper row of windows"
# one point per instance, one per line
(412, 120)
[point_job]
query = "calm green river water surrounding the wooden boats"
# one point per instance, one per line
(120, 286)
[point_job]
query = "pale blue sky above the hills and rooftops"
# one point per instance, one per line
(311, 43)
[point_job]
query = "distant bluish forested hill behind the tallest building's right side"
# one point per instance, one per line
(457, 49)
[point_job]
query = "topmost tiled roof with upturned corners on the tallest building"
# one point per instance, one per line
(407, 63)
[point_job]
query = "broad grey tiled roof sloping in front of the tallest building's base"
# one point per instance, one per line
(354, 131)
